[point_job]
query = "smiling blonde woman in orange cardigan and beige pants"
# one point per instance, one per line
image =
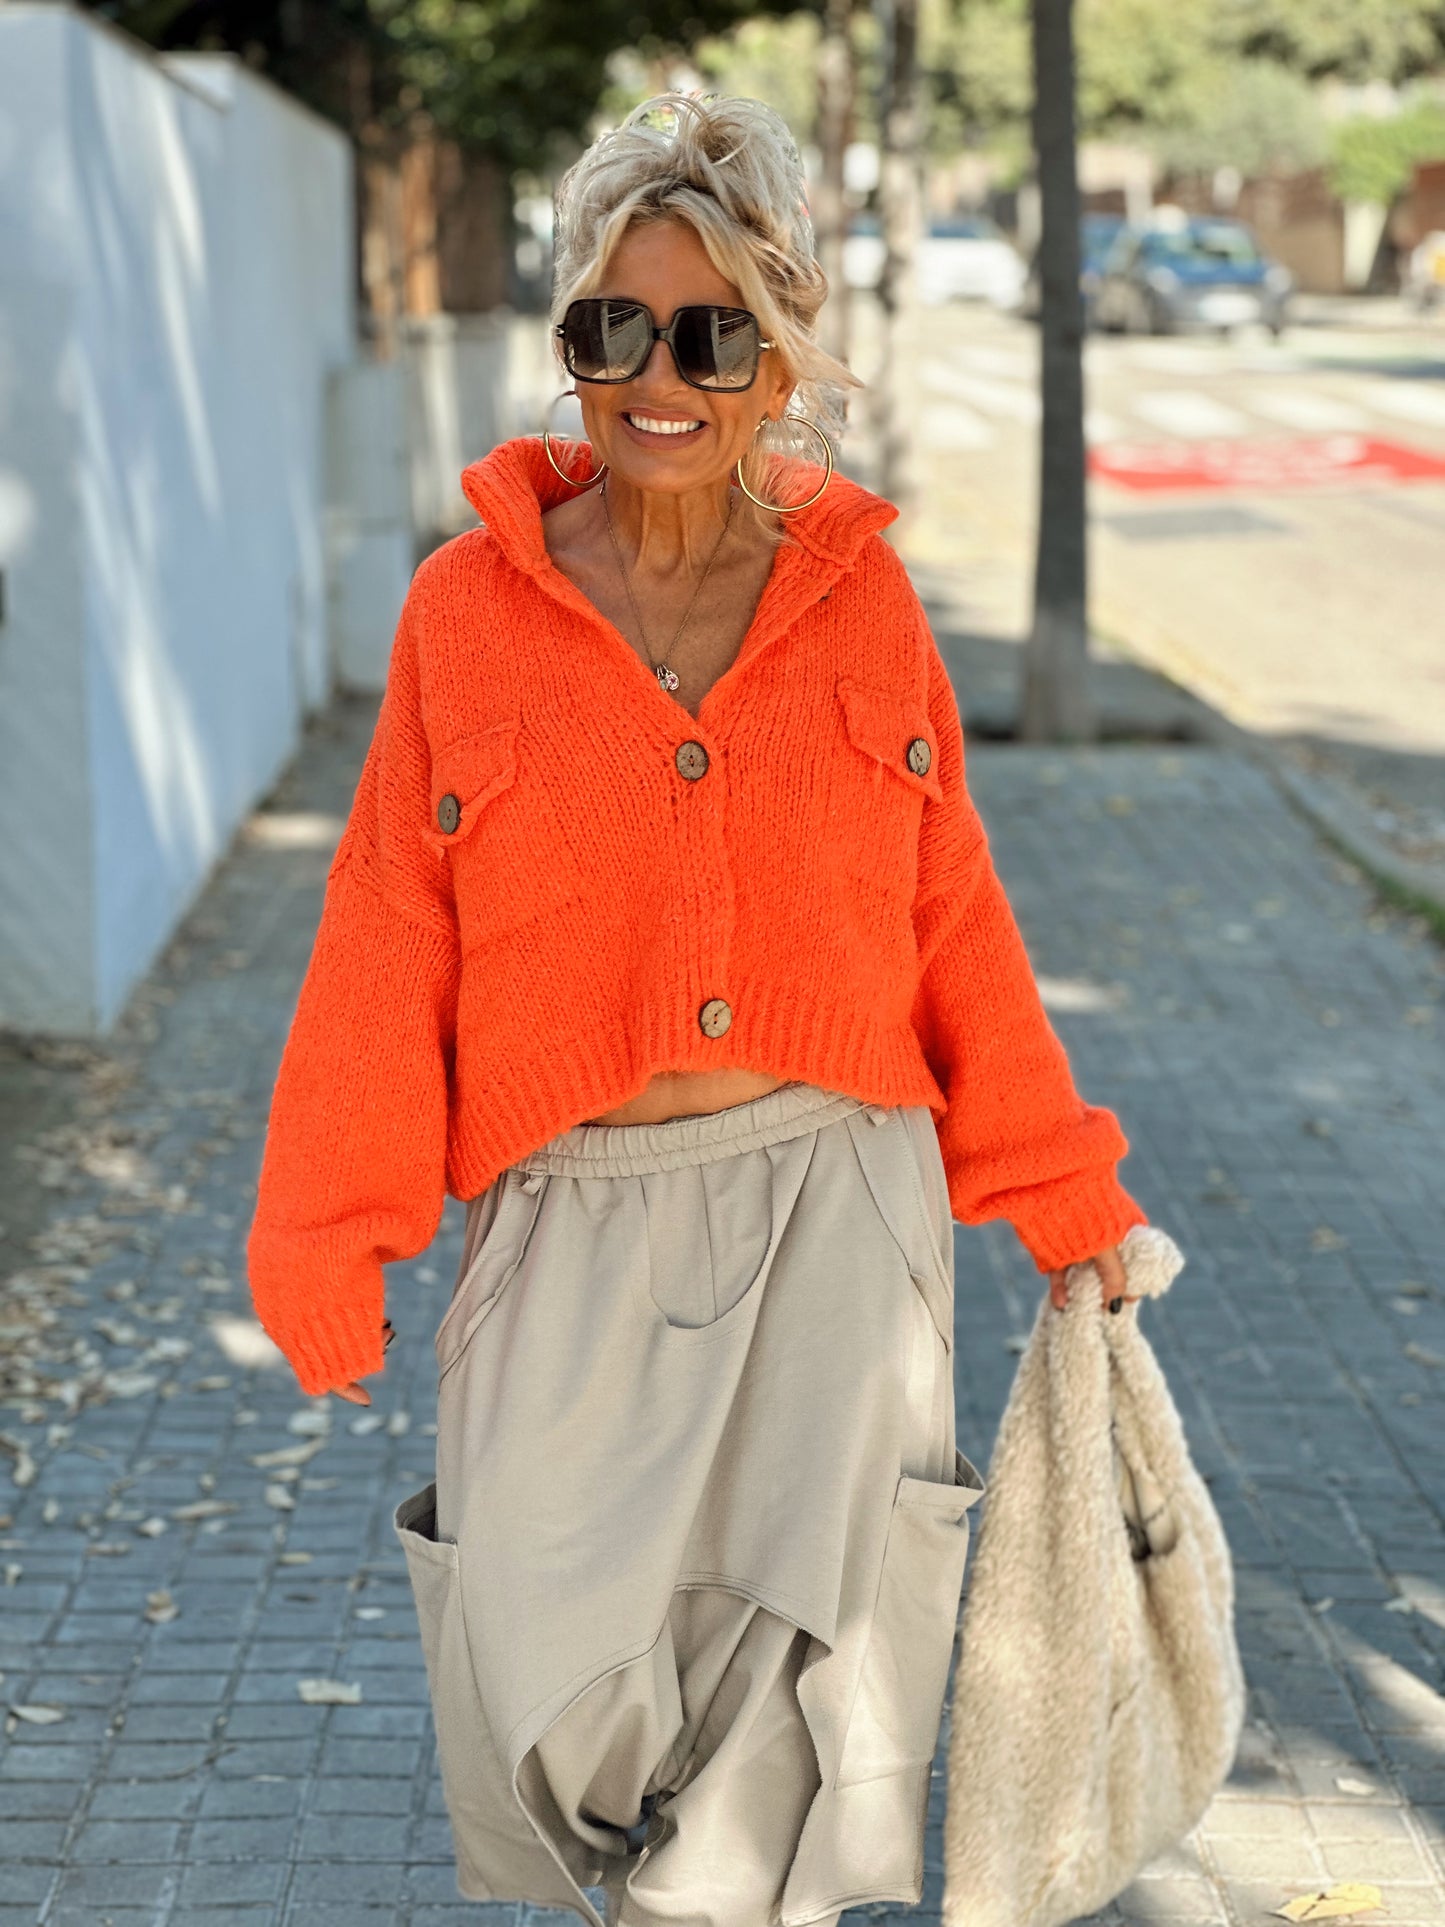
(664, 932)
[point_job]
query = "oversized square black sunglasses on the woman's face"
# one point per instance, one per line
(608, 340)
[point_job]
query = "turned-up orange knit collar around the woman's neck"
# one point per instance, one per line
(515, 485)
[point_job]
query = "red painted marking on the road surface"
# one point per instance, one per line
(1151, 467)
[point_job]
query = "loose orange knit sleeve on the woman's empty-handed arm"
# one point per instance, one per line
(354, 1167)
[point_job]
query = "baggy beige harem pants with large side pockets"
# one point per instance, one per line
(691, 1568)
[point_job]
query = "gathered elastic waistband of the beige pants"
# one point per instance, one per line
(633, 1149)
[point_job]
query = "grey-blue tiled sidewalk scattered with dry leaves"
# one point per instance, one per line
(1276, 1051)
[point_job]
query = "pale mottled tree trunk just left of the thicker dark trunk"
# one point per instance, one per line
(899, 199)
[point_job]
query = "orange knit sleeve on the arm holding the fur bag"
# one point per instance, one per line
(1018, 1142)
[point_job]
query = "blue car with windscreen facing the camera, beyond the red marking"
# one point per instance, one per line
(1190, 273)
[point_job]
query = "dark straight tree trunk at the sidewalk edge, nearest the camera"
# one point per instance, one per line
(1057, 699)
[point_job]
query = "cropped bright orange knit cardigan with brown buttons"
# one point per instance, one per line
(556, 882)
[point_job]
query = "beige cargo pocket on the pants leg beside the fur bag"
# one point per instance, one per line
(901, 1691)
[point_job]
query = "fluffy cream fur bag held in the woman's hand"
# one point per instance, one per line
(1099, 1695)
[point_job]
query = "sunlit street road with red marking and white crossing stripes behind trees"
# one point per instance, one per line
(1269, 523)
